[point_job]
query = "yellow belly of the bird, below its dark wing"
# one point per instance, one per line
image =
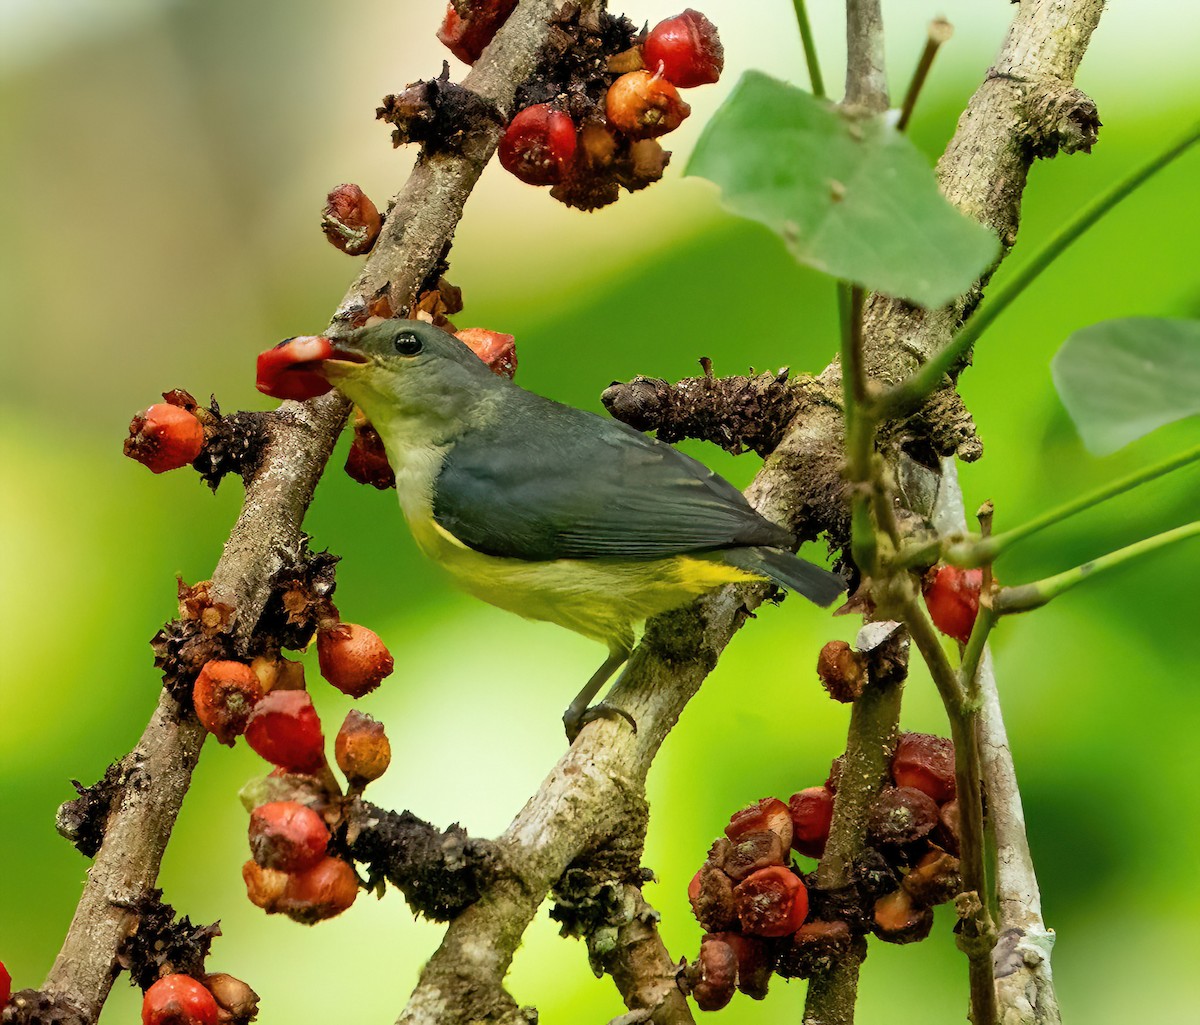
(599, 598)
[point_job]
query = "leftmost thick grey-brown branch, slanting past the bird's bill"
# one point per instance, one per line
(278, 495)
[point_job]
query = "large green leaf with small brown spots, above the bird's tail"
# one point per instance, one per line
(851, 197)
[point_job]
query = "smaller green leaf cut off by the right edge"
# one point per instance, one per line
(1123, 380)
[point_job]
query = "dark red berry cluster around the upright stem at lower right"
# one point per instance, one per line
(764, 916)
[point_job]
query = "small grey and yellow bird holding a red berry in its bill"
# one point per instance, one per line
(551, 512)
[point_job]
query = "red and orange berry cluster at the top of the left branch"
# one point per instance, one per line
(591, 127)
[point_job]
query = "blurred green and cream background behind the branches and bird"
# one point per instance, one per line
(164, 169)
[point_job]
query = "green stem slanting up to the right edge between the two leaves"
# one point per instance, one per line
(931, 375)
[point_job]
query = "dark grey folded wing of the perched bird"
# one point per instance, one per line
(549, 482)
